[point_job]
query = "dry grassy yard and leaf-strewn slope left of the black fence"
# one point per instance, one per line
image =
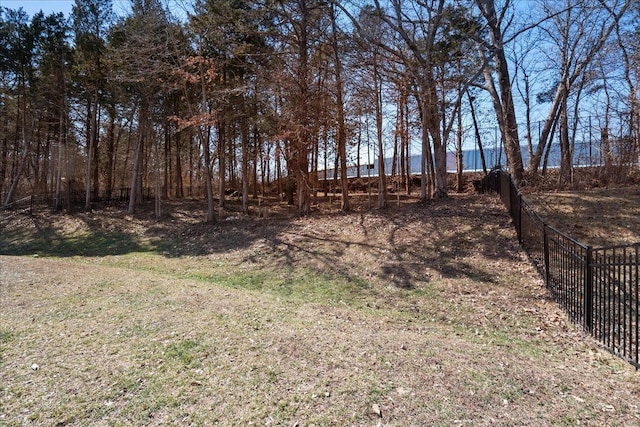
(414, 315)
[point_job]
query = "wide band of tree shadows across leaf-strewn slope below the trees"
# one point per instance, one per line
(400, 246)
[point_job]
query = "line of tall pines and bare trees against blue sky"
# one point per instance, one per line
(259, 94)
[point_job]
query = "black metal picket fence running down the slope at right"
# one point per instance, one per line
(597, 287)
